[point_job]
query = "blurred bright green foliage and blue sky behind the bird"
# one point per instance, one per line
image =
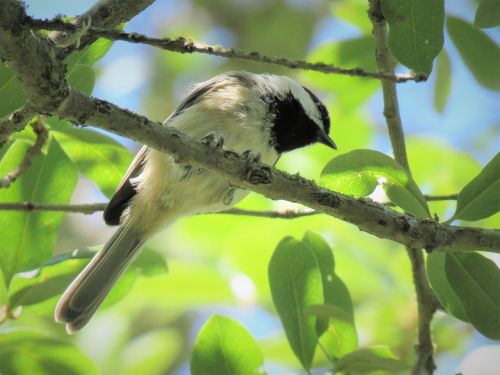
(218, 263)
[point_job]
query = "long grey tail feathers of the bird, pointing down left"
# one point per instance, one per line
(85, 294)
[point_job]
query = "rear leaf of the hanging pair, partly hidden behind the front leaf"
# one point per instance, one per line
(338, 333)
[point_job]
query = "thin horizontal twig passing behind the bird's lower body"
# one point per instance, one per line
(90, 208)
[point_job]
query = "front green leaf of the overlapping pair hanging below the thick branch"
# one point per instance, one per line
(295, 280)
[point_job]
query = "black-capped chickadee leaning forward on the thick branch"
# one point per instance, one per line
(253, 114)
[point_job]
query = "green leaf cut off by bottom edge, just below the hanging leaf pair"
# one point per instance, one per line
(368, 360)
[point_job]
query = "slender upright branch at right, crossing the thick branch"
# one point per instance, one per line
(426, 299)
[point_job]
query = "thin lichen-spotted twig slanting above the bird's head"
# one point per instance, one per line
(182, 45)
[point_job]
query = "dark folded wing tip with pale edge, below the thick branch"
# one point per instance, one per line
(125, 191)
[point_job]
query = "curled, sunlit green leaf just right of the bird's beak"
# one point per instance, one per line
(358, 172)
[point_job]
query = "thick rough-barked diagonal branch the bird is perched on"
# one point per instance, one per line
(367, 215)
